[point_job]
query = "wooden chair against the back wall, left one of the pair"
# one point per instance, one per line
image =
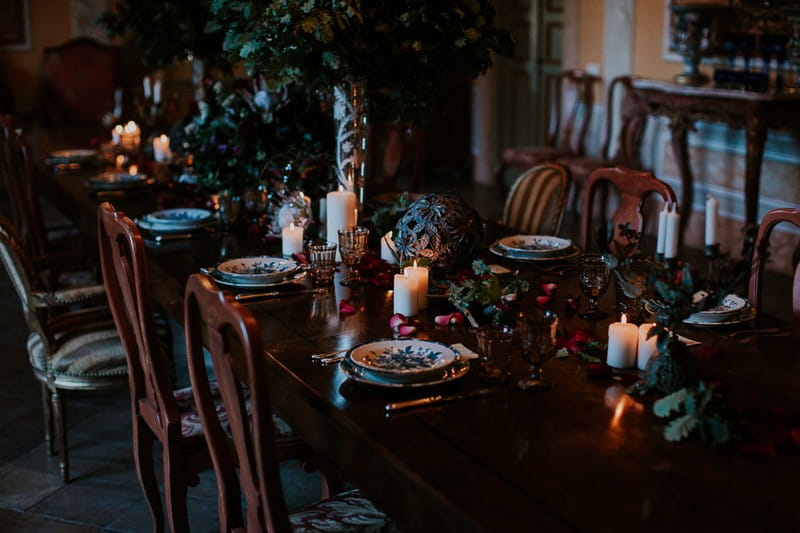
(570, 97)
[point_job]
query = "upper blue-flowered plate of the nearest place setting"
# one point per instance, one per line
(402, 356)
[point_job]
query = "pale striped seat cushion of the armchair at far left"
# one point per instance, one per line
(91, 354)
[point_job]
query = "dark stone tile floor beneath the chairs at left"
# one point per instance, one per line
(103, 494)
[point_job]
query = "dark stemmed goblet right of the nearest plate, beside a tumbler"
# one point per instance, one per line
(536, 334)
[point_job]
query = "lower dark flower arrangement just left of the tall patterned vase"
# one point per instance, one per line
(243, 135)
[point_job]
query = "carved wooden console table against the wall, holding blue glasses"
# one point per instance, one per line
(753, 111)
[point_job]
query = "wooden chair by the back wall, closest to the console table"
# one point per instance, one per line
(632, 120)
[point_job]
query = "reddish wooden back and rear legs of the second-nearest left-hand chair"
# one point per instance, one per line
(154, 408)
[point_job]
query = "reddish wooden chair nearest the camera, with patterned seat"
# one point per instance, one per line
(215, 320)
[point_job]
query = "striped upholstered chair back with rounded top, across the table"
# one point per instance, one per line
(537, 200)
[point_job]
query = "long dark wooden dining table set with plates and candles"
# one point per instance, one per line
(583, 455)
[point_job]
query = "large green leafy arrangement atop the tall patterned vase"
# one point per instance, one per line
(401, 49)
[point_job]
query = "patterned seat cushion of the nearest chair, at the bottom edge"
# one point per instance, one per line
(344, 512)
